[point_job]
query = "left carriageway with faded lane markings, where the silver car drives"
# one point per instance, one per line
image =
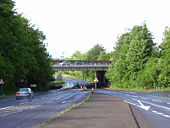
(26, 113)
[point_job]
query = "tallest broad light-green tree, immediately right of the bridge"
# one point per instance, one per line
(132, 52)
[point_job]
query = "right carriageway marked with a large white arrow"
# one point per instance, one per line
(154, 107)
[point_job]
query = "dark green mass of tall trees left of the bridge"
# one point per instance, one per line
(23, 56)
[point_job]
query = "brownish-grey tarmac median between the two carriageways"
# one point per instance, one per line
(100, 111)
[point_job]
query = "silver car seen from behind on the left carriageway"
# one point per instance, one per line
(24, 93)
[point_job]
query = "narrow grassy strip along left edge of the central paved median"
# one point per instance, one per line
(63, 112)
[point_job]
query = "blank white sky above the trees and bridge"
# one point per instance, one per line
(78, 25)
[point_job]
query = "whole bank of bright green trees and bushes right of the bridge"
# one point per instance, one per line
(137, 62)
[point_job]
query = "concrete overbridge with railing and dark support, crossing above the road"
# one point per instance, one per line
(100, 67)
